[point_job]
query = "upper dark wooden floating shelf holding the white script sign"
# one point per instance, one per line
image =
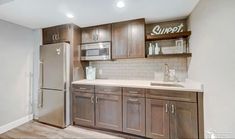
(168, 36)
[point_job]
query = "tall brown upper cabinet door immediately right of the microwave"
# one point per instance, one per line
(120, 40)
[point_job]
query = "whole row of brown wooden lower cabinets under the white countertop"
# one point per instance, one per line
(152, 113)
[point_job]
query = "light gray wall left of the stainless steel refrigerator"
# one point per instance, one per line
(16, 60)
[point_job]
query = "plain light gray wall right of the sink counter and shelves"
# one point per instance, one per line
(213, 62)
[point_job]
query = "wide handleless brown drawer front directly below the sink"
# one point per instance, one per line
(172, 95)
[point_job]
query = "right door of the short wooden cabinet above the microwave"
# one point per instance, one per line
(104, 33)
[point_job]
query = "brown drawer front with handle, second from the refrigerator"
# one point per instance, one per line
(108, 90)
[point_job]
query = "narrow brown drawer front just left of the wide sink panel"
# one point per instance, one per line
(135, 92)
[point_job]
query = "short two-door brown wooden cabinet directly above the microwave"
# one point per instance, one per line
(95, 34)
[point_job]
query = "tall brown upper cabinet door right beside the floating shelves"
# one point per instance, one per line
(136, 39)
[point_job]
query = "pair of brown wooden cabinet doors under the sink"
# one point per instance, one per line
(171, 119)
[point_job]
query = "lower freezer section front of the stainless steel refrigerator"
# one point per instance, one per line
(52, 107)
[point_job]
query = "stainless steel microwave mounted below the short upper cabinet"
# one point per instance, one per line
(96, 51)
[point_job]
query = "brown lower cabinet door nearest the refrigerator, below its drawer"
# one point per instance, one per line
(83, 109)
